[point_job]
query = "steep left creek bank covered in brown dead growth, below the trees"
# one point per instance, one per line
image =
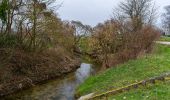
(21, 70)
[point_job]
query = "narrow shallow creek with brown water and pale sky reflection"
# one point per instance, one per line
(59, 89)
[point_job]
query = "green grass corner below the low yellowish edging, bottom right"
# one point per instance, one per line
(159, 91)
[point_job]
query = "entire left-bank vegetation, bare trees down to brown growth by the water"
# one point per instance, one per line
(34, 43)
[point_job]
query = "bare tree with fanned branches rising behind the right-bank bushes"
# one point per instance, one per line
(138, 12)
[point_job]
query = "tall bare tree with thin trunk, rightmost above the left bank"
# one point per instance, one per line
(36, 10)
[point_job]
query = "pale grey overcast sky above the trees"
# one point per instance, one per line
(92, 12)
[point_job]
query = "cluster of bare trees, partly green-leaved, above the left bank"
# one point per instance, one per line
(25, 17)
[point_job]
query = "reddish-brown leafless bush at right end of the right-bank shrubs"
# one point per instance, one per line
(138, 43)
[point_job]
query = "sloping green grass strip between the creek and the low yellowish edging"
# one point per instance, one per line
(124, 74)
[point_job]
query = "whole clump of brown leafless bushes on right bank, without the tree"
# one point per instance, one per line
(115, 44)
